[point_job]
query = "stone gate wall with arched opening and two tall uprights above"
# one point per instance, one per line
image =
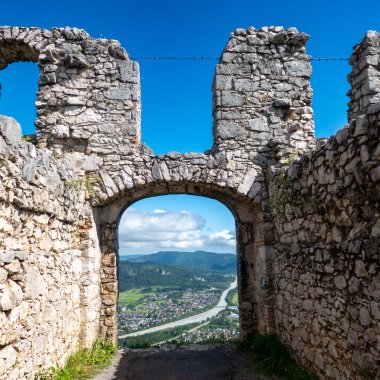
(89, 117)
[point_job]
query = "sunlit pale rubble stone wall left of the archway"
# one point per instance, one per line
(49, 263)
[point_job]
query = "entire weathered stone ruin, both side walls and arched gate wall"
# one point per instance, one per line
(307, 212)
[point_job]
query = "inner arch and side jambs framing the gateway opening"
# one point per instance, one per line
(253, 253)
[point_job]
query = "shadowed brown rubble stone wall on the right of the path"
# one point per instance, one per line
(327, 215)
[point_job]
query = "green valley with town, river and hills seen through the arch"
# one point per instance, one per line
(157, 291)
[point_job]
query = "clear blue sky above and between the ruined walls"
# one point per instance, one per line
(176, 96)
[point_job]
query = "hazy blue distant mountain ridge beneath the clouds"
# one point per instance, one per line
(199, 261)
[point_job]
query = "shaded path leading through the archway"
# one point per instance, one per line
(190, 362)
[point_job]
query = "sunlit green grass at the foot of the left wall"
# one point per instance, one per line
(83, 364)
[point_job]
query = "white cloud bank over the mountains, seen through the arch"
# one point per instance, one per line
(146, 232)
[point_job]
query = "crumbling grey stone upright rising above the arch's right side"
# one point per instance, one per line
(262, 95)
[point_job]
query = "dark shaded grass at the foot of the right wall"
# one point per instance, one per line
(274, 359)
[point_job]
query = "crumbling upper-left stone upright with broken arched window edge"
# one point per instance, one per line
(89, 95)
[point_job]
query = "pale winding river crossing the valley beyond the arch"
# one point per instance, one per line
(197, 318)
